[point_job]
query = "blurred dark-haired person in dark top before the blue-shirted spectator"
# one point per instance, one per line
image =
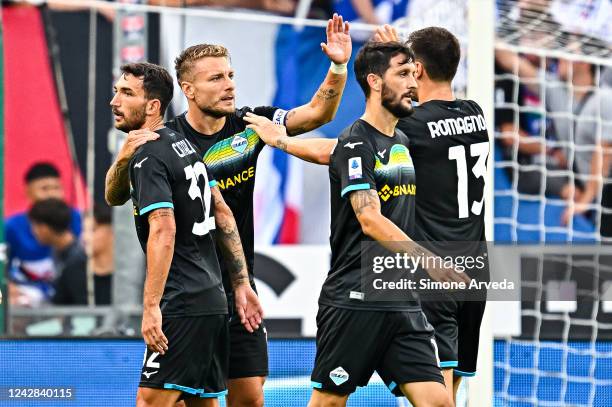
(51, 225)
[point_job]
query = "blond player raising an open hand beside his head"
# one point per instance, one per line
(230, 151)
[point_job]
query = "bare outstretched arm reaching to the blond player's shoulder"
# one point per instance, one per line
(314, 150)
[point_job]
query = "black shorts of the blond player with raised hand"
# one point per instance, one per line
(248, 351)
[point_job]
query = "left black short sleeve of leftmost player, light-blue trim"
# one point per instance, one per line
(150, 180)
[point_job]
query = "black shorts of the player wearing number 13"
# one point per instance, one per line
(457, 326)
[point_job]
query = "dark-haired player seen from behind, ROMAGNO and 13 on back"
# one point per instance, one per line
(449, 144)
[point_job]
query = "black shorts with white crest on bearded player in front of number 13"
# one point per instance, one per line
(352, 344)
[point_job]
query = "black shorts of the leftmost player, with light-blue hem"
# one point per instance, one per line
(196, 361)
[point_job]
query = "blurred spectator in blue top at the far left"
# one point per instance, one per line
(31, 269)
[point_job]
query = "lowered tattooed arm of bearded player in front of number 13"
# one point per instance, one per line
(374, 224)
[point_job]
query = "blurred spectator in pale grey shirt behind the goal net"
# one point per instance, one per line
(581, 114)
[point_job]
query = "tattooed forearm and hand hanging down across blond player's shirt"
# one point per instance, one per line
(227, 237)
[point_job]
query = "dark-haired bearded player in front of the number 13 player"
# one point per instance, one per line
(371, 158)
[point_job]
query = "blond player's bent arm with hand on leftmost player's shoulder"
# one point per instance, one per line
(117, 184)
